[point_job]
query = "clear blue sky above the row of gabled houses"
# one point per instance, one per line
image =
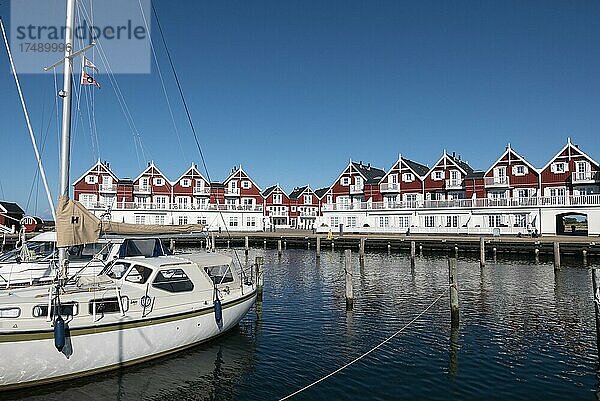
(293, 89)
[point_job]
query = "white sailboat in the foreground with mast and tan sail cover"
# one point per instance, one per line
(144, 304)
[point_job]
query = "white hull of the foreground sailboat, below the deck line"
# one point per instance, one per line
(95, 349)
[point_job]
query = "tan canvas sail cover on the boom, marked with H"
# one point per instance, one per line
(75, 225)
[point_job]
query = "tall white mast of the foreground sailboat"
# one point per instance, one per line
(65, 144)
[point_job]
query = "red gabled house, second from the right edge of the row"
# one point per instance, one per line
(510, 176)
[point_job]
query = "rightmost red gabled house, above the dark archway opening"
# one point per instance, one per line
(570, 173)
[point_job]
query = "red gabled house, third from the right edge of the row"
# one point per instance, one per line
(446, 179)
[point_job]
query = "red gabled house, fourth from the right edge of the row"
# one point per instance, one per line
(403, 182)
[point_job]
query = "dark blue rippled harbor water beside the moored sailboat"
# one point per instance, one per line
(525, 333)
